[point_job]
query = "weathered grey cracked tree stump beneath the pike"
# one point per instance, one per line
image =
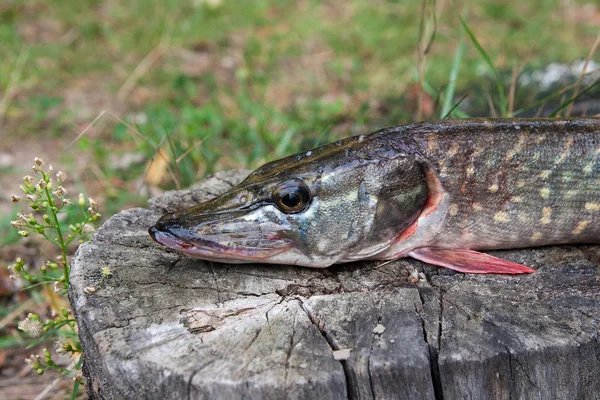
(166, 326)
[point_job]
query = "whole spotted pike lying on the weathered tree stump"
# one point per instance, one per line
(440, 192)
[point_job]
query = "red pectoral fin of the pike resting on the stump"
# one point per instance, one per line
(468, 261)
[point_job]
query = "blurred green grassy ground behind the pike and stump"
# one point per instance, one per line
(218, 84)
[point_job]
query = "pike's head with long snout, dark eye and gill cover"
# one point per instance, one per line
(333, 204)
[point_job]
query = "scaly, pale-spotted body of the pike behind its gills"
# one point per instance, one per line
(526, 186)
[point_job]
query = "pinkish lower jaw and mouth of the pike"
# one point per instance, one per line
(198, 247)
